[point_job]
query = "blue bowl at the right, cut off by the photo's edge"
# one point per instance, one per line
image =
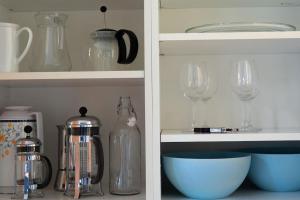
(276, 170)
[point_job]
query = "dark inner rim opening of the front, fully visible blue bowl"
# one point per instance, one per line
(215, 155)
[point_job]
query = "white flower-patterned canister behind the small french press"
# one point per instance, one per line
(12, 123)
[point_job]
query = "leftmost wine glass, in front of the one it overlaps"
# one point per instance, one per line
(193, 78)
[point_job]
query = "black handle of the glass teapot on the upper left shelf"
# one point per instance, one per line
(134, 46)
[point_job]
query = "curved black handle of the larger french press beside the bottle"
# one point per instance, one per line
(99, 160)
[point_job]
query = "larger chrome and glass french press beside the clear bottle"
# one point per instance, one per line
(85, 161)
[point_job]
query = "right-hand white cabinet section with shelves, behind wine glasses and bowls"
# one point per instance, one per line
(277, 58)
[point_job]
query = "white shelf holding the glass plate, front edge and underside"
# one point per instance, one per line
(229, 43)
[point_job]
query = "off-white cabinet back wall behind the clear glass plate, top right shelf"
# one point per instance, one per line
(186, 18)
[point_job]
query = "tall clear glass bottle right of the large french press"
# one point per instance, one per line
(125, 151)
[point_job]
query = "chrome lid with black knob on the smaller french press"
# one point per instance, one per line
(28, 144)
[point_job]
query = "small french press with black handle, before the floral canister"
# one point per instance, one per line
(33, 171)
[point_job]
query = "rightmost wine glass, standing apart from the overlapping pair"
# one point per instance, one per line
(245, 85)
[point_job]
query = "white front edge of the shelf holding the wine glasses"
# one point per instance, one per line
(189, 136)
